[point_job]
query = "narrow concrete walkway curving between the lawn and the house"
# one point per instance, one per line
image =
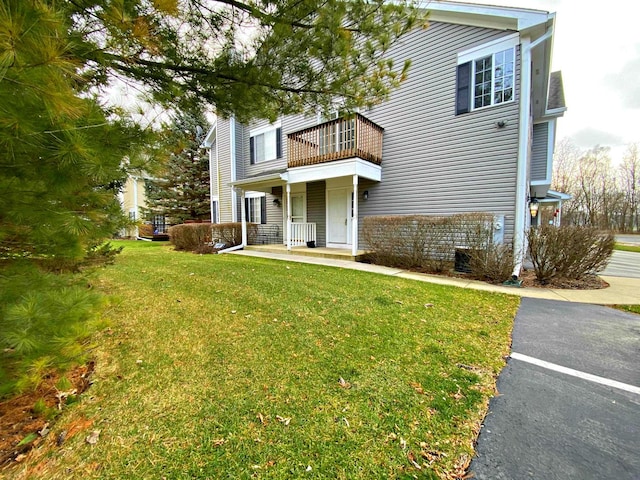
(621, 290)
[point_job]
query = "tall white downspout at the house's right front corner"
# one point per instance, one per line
(519, 230)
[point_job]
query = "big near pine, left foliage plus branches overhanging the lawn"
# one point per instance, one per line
(62, 151)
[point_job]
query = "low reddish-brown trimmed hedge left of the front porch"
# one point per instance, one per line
(200, 237)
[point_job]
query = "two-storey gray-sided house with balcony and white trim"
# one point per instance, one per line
(471, 130)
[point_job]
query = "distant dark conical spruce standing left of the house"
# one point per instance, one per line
(182, 190)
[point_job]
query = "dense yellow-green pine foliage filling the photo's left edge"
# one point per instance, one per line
(60, 164)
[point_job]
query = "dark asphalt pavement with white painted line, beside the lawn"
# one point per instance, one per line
(569, 398)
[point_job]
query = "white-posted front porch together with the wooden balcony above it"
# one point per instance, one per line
(318, 193)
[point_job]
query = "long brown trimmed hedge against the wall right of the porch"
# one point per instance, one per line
(428, 243)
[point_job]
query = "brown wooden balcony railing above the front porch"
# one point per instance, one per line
(347, 137)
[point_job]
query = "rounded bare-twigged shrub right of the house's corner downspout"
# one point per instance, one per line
(569, 252)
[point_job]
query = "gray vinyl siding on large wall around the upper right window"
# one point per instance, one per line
(435, 162)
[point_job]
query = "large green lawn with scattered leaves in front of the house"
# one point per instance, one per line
(222, 366)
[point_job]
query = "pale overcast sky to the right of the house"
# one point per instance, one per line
(597, 48)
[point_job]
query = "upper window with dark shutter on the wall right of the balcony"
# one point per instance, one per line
(486, 75)
